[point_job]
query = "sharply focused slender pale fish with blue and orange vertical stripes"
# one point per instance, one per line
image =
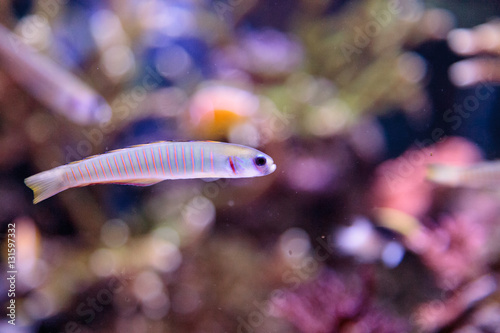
(151, 163)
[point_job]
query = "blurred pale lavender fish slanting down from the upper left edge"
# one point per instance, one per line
(58, 89)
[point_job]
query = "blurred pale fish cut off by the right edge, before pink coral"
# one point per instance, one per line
(479, 175)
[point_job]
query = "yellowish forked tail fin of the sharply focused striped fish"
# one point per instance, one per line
(46, 184)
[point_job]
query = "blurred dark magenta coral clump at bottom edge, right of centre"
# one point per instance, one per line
(330, 304)
